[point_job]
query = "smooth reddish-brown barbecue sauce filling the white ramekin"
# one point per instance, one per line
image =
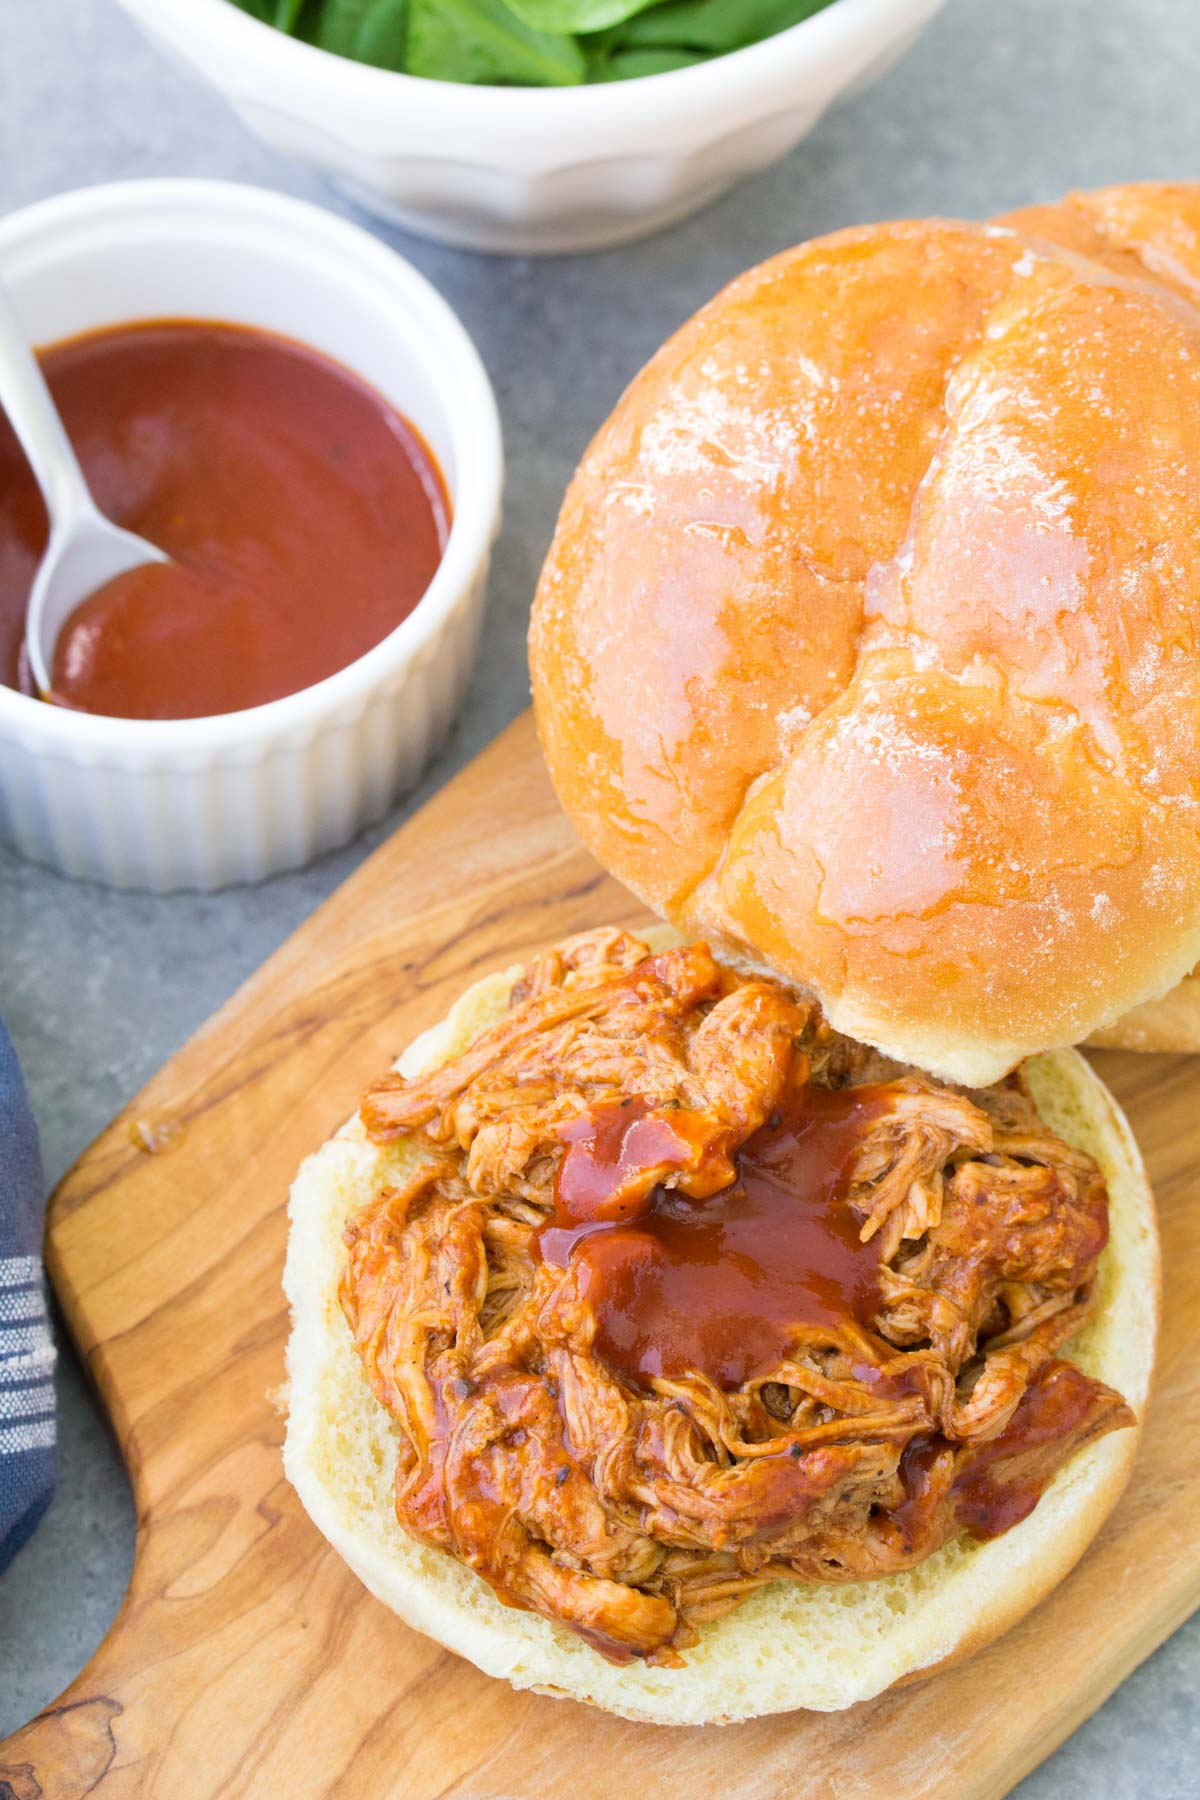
(305, 516)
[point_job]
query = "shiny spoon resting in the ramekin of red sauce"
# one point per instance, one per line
(85, 550)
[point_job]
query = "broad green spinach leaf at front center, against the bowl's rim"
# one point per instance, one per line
(483, 40)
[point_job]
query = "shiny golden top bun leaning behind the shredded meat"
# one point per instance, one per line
(870, 638)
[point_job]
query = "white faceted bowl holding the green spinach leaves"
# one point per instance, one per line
(535, 170)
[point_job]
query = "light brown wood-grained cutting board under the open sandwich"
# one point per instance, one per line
(247, 1660)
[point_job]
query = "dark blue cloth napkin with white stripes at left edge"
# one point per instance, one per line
(26, 1344)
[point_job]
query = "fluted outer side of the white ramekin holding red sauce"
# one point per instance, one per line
(237, 813)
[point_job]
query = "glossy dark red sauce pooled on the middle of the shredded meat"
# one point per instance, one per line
(721, 1286)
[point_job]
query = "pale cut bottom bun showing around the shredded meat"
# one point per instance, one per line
(787, 1646)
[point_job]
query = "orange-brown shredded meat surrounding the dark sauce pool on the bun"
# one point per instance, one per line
(634, 1507)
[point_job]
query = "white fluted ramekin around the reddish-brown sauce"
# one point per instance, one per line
(206, 802)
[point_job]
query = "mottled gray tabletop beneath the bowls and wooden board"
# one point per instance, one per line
(1005, 102)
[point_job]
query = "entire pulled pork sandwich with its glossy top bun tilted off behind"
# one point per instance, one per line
(665, 1333)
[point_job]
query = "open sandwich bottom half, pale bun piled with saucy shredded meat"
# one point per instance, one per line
(641, 1322)
